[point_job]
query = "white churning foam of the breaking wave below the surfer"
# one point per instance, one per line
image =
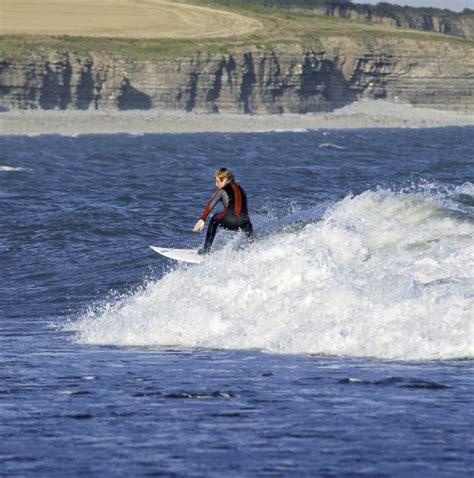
(383, 274)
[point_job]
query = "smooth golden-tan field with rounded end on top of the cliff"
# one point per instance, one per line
(120, 19)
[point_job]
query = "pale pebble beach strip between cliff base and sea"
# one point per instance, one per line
(358, 115)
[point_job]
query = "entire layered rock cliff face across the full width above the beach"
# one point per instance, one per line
(436, 75)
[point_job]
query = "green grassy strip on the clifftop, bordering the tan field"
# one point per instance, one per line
(281, 28)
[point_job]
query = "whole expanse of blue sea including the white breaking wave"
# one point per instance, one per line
(340, 344)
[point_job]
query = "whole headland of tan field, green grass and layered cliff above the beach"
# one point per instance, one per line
(239, 56)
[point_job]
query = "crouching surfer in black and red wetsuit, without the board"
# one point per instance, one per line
(234, 217)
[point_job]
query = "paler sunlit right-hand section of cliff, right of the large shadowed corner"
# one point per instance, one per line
(425, 74)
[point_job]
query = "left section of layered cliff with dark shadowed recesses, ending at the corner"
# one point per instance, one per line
(247, 82)
